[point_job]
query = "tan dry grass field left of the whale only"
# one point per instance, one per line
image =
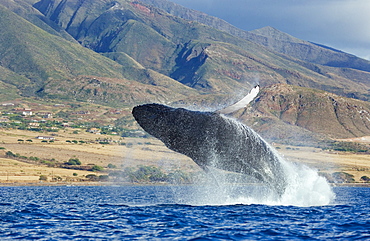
(134, 152)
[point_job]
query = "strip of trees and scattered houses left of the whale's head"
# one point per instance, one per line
(50, 119)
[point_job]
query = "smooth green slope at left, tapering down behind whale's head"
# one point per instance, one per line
(35, 61)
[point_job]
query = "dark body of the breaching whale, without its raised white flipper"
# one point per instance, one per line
(213, 140)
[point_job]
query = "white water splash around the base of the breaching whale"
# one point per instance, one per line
(304, 187)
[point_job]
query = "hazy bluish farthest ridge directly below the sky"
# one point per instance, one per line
(271, 38)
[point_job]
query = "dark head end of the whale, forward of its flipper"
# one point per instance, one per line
(178, 128)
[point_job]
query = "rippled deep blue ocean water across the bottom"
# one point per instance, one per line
(174, 213)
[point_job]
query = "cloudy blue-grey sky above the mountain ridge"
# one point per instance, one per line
(340, 24)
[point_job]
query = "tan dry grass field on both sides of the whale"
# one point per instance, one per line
(134, 152)
